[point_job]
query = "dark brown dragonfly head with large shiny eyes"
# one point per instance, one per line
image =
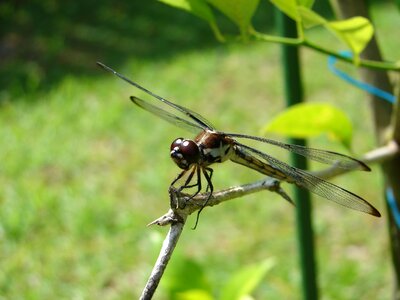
(184, 153)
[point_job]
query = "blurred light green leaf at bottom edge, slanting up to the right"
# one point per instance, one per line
(246, 280)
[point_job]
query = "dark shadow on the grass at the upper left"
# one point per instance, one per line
(44, 41)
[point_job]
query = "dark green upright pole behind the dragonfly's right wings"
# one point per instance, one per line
(293, 95)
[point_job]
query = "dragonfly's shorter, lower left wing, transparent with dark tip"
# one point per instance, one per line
(167, 116)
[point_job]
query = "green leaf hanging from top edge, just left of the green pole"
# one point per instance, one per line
(239, 11)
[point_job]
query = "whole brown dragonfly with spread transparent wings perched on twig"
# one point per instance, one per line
(210, 146)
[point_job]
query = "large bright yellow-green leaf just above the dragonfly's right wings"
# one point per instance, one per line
(312, 119)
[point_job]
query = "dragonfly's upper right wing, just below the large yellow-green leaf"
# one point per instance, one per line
(322, 156)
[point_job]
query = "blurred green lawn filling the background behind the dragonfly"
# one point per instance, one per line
(83, 171)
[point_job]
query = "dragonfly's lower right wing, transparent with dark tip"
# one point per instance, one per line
(315, 184)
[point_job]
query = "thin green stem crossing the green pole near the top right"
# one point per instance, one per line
(371, 64)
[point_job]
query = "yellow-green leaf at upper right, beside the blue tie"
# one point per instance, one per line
(356, 32)
